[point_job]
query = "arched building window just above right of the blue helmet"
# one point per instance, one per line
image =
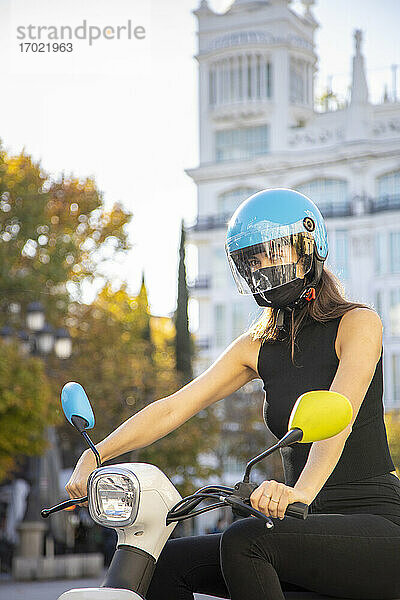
(330, 195)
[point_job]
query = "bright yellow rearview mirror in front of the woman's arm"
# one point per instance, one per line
(320, 414)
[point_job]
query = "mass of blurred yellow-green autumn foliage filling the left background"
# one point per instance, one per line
(54, 237)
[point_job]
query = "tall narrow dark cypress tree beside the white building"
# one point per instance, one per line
(183, 344)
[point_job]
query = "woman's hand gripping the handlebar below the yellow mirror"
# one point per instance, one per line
(272, 498)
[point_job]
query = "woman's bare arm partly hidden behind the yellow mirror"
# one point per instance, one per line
(359, 351)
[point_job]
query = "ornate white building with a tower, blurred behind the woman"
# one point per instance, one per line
(261, 126)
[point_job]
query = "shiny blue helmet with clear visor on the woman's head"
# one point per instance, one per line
(276, 245)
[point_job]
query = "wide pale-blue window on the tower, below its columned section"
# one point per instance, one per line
(241, 144)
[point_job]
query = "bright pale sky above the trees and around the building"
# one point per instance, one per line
(125, 111)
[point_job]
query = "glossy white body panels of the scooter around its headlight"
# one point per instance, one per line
(148, 533)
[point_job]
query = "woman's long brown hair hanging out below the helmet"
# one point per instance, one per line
(330, 303)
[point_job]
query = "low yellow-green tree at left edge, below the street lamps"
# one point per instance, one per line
(26, 406)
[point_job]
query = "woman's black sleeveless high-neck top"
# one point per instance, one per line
(366, 452)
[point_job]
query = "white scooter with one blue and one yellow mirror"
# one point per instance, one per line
(144, 507)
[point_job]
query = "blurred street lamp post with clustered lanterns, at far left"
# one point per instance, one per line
(39, 339)
